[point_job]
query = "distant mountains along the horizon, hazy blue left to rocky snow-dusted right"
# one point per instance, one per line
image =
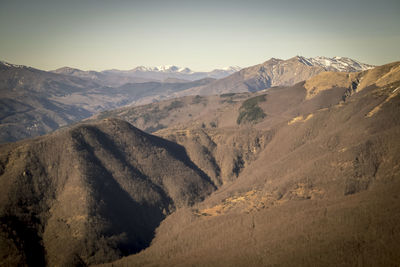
(36, 102)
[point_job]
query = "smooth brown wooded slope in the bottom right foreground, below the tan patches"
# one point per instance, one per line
(358, 230)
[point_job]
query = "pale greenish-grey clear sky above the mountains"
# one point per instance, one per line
(201, 35)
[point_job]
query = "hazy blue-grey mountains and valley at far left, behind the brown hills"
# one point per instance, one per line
(34, 102)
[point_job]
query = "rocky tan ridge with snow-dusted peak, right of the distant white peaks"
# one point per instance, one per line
(277, 72)
